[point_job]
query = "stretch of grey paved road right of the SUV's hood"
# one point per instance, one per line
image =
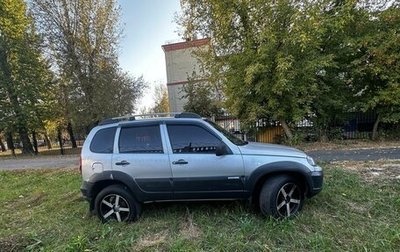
(355, 155)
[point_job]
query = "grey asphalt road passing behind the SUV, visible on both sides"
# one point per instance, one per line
(72, 161)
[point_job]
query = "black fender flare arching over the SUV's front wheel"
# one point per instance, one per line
(280, 167)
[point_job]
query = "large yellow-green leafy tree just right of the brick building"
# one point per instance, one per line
(268, 52)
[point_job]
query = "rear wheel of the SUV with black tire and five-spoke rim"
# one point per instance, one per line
(116, 202)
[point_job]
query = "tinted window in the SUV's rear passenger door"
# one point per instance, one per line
(141, 139)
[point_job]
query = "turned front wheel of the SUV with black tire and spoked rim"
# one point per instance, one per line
(281, 197)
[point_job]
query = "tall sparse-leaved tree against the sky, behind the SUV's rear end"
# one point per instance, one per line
(82, 37)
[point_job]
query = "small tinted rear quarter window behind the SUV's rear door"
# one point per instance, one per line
(103, 141)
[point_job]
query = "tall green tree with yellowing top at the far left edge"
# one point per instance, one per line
(24, 74)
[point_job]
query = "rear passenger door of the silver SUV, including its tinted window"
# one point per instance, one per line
(140, 152)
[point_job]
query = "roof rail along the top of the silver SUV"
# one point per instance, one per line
(153, 115)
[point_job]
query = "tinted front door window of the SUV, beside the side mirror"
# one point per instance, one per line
(192, 139)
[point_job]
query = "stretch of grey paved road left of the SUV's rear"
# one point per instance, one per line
(67, 161)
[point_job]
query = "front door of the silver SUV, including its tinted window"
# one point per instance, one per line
(197, 172)
